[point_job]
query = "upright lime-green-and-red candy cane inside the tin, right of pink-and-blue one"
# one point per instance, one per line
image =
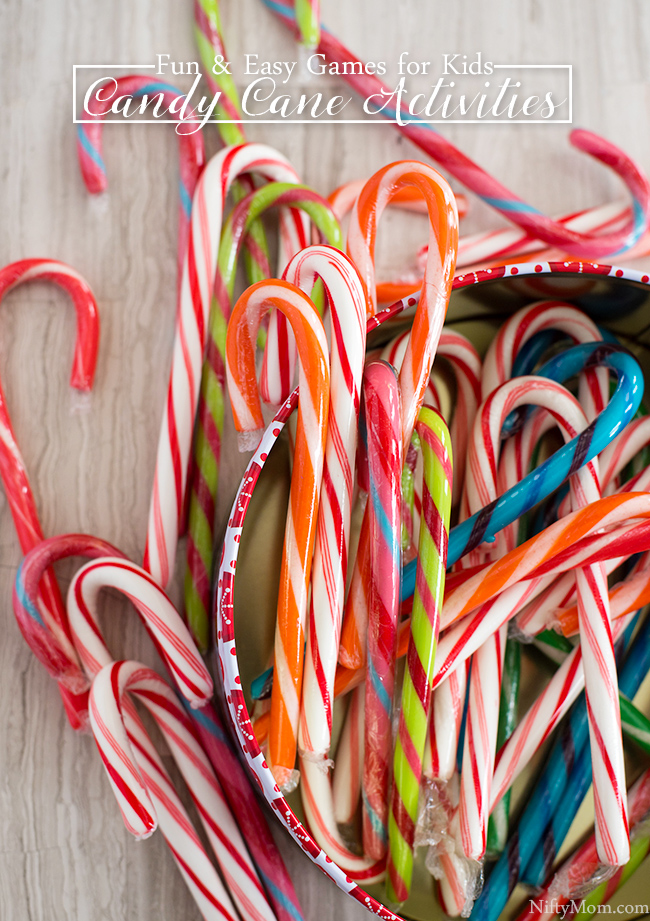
(425, 624)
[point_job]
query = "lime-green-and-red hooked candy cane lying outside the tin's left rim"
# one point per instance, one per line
(209, 423)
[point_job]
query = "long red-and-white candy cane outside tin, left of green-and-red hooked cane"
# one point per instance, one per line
(199, 268)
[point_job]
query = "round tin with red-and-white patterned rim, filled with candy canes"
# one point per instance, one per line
(429, 588)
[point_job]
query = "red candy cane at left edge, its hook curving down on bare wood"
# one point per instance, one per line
(51, 634)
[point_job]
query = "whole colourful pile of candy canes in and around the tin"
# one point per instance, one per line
(480, 538)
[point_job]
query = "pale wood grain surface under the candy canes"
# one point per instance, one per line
(64, 852)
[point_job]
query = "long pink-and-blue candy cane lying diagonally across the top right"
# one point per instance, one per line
(582, 245)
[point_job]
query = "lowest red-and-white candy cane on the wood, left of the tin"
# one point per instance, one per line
(138, 778)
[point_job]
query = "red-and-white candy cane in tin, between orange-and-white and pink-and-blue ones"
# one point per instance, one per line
(346, 306)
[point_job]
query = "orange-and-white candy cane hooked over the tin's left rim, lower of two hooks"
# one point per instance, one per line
(300, 533)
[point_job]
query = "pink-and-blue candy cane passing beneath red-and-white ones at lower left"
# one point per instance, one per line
(206, 724)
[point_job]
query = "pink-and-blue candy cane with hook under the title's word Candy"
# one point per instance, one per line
(89, 144)
